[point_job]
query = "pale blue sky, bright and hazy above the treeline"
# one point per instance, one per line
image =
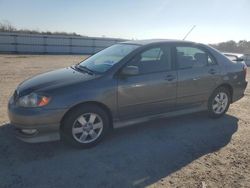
(216, 20)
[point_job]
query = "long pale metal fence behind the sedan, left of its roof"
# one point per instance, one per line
(52, 44)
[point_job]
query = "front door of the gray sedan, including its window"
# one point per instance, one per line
(153, 90)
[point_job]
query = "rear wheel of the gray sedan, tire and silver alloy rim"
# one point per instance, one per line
(219, 102)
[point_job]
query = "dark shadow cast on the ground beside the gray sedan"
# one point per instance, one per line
(135, 156)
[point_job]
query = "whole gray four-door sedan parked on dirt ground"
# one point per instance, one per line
(124, 84)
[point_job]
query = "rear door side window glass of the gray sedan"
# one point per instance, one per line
(191, 57)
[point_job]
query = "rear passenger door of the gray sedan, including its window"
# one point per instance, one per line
(198, 74)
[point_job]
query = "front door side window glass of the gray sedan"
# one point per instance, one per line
(156, 59)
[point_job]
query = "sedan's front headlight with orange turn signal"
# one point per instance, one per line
(33, 100)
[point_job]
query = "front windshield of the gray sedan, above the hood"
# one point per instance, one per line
(105, 59)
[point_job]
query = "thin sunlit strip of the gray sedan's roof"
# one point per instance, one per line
(156, 41)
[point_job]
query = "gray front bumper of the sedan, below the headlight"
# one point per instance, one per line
(46, 122)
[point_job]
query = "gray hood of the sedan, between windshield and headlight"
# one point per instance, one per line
(57, 78)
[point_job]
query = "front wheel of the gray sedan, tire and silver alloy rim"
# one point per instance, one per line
(85, 126)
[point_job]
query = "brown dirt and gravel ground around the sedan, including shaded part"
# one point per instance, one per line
(188, 151)
